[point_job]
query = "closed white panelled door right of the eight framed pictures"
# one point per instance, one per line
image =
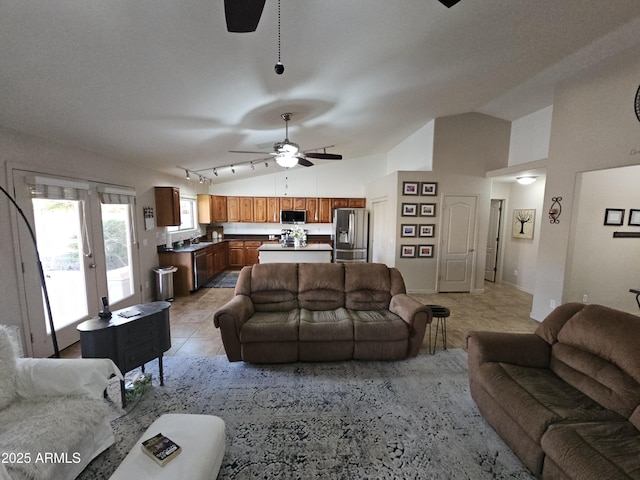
(457, 250)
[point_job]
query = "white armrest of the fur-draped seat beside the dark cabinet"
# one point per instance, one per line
(89, 377)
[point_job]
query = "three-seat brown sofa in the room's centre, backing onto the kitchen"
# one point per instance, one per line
(288, 312)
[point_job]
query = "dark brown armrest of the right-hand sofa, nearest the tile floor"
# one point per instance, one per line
(525, 349)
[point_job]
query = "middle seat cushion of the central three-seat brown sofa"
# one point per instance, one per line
(327, 325)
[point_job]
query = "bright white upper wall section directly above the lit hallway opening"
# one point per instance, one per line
(530, 136)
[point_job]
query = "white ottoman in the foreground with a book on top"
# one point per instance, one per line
(202, 438)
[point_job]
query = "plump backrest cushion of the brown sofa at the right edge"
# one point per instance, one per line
(599, 360)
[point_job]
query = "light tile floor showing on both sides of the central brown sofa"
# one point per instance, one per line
(499, 308)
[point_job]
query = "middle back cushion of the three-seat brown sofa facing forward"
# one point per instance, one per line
(321, 286)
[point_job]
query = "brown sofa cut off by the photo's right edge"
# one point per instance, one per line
(566, 398)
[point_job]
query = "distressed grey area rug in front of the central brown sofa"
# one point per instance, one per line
(409, 419)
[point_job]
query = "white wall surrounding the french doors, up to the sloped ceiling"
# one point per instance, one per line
(30, 153)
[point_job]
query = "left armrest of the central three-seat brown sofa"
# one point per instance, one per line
(229, 319)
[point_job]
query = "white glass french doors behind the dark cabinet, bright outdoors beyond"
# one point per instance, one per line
(85, 237)
